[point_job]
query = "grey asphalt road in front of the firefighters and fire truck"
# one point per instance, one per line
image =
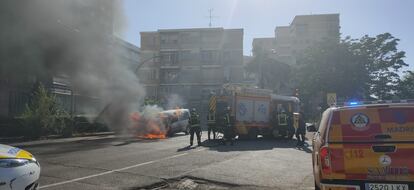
(110, 162)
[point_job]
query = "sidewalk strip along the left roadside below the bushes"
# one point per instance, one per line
(18, 142)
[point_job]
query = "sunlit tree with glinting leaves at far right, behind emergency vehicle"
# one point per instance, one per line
(383, 61)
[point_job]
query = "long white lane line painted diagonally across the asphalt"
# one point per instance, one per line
(108, 172)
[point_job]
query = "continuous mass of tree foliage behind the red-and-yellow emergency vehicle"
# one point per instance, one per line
(366, 68)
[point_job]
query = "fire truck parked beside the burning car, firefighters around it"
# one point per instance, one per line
(254, 112)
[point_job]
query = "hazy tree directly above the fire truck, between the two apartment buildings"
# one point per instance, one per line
(272, 74)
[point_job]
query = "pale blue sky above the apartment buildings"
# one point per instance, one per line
(259, 18)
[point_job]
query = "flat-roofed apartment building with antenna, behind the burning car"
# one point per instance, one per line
(190, 63)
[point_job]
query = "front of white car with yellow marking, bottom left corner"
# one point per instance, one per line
(18, 169)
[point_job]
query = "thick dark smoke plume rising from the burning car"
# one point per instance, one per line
(44, 38)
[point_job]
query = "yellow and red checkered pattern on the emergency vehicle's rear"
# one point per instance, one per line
(351, 147)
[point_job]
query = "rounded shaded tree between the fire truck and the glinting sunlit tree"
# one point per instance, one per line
(330, 67)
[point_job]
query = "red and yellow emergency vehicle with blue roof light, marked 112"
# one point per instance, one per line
(368, 146)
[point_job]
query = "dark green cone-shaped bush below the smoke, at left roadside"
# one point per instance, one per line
(42, 115)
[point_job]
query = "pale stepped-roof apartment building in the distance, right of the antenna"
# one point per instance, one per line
(302, 33)
